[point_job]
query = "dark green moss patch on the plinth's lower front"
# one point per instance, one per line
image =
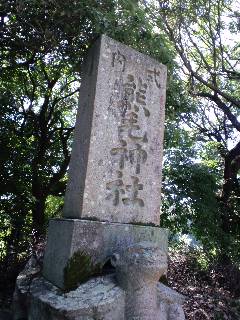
(79, 269)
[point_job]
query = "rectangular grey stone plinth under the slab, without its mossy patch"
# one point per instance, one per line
(97, 239)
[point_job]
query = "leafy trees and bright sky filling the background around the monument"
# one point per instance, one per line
(42, 45)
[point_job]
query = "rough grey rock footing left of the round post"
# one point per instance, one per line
(38, 299)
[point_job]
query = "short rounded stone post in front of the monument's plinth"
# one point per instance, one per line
(138, 270)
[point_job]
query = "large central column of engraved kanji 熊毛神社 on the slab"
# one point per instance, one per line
(129, 94)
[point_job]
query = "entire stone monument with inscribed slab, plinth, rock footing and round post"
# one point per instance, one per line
(111, 212)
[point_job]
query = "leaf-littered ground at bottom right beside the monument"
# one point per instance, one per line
(212, 294)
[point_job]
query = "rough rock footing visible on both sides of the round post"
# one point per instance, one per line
(98, 299)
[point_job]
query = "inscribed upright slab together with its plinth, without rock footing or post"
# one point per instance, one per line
(115, 168)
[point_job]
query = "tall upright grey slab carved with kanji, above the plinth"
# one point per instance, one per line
(115, 167)
